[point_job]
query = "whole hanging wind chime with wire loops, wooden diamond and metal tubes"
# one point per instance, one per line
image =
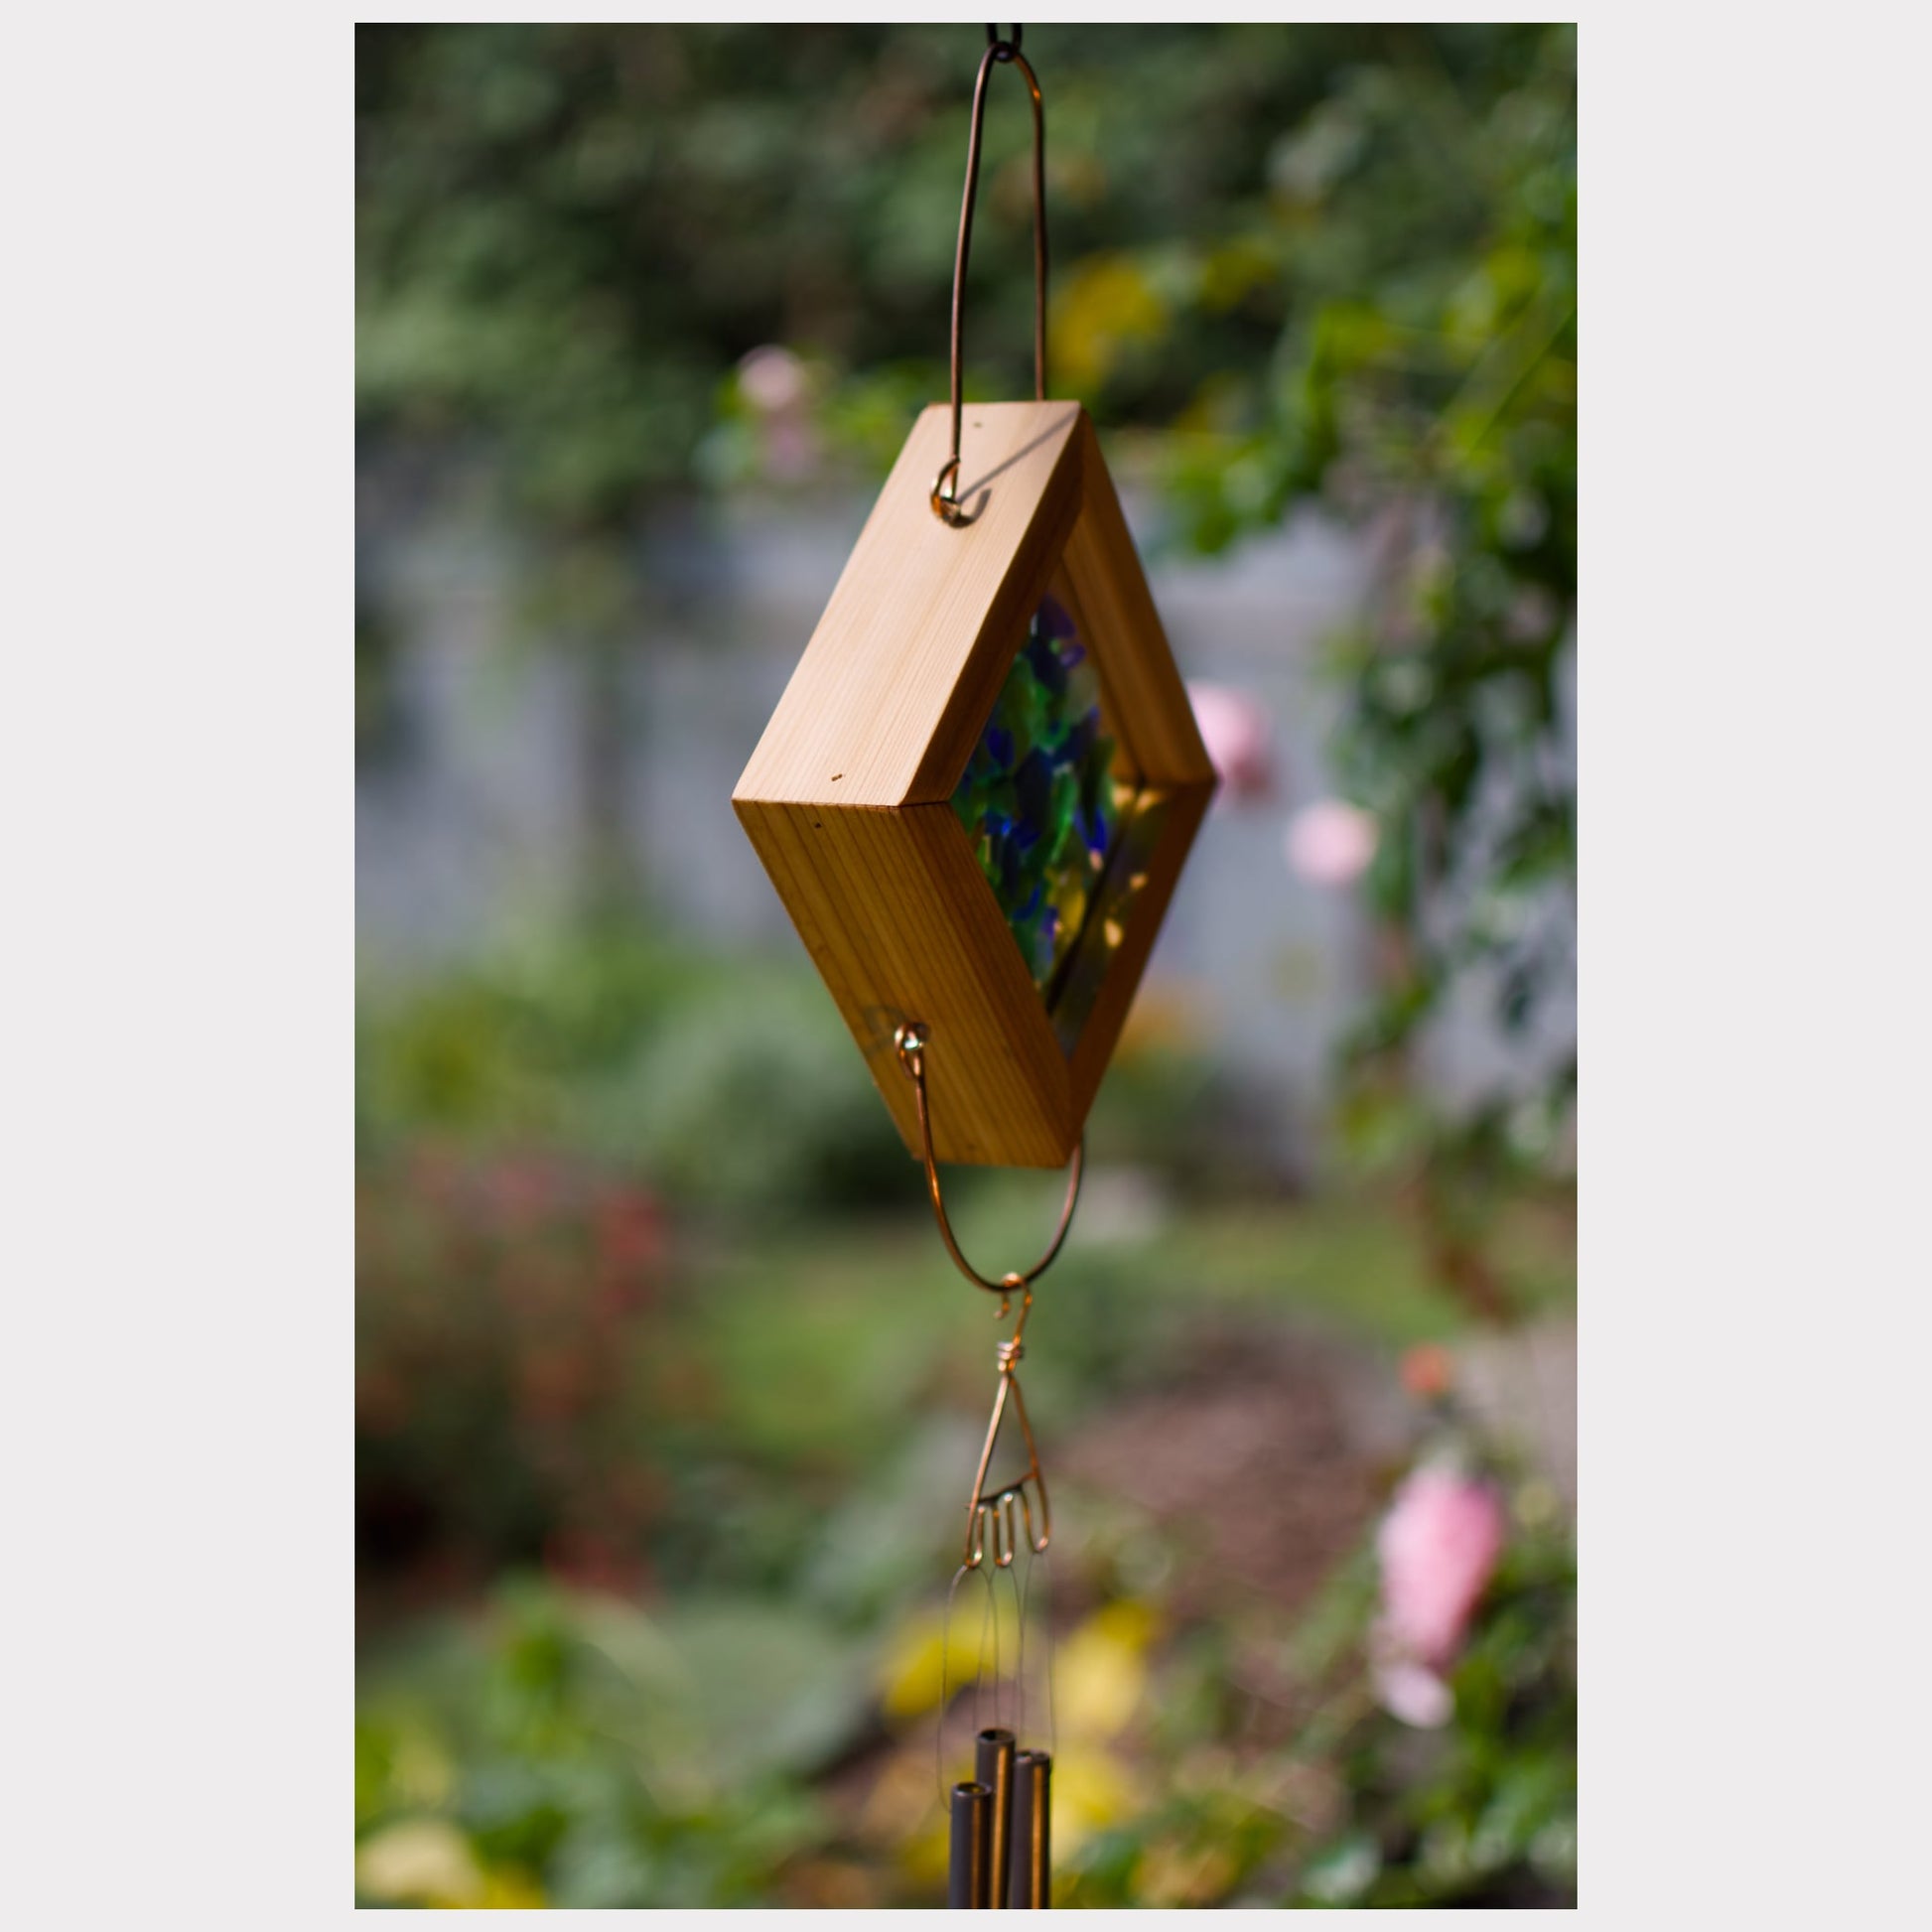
(975, 801)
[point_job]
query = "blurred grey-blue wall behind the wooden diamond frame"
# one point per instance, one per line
(472, 795)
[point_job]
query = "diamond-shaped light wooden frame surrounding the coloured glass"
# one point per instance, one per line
(847, 797)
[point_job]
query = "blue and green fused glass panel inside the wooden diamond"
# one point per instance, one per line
(1040, 801)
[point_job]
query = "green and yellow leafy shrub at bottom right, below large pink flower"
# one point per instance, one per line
(1355, 1807)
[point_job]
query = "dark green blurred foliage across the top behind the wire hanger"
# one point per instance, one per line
(571, 235)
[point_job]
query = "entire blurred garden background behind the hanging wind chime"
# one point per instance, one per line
(668, 1396)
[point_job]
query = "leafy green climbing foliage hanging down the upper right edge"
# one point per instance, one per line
(1419, 256)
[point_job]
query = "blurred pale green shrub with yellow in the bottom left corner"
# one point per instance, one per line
(571, 1751)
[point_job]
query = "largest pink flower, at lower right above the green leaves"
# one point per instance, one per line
(1438, 1548)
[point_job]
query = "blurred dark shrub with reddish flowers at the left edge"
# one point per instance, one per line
(499, 1380)
